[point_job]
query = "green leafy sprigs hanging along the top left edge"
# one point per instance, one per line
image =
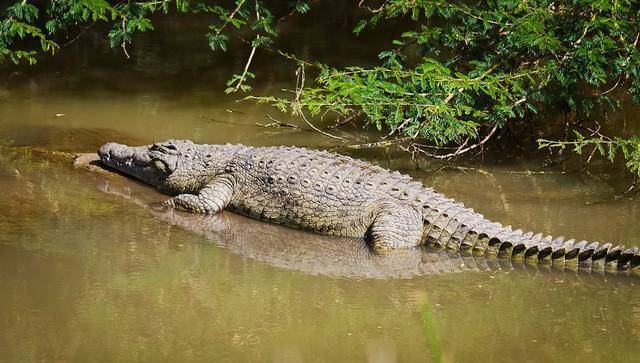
(45, 21)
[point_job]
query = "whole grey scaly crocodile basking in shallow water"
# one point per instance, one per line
(338, 195)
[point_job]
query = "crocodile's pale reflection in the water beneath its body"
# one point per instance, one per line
(323, 255)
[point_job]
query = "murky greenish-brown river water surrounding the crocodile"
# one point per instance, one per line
(88, 273)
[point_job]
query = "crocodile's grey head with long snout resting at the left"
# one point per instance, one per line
(174, 166)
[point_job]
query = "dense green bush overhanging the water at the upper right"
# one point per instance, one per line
(474, 66)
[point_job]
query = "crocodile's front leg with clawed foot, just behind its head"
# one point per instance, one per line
(211, 199)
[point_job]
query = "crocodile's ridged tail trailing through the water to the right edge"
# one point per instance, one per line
(452, 226)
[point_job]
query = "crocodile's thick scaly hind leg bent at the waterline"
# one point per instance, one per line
(395, 226)
